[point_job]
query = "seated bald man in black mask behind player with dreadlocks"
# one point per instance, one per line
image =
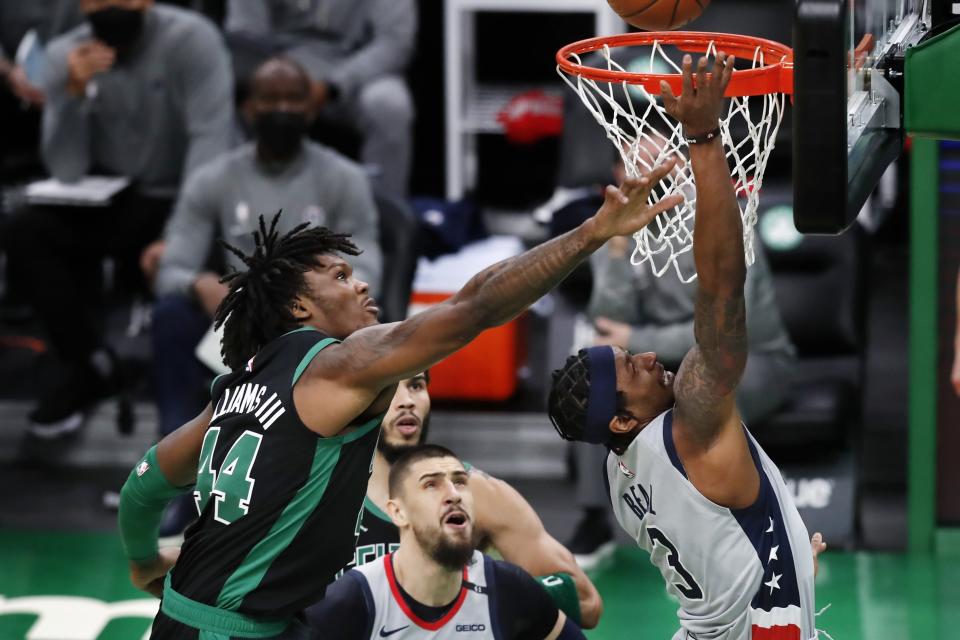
(222, 200)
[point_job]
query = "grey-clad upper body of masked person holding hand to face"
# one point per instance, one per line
(142, 92)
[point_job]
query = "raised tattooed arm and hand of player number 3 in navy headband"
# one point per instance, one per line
(706, 384)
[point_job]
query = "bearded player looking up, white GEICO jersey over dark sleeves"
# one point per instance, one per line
(435, 585)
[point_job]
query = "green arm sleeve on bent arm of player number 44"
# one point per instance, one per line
(143, 498)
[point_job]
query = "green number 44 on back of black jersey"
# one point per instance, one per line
(232, 485)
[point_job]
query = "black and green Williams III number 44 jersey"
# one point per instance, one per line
(279, 505)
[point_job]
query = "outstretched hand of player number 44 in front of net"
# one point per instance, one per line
(625, 209)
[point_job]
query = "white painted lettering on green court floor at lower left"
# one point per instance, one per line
(74, 618)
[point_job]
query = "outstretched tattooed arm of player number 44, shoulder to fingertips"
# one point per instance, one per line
(354, 372)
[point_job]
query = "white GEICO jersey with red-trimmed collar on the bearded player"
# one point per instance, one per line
(471, 617)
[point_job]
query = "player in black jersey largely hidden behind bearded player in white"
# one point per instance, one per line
(503, 520)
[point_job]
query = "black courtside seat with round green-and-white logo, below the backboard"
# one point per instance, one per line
(819, 282)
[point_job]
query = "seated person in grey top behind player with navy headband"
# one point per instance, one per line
(633, 309)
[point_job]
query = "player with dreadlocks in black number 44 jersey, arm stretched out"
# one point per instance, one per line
(280, 459)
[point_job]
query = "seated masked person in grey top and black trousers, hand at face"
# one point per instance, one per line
(136, 91)
